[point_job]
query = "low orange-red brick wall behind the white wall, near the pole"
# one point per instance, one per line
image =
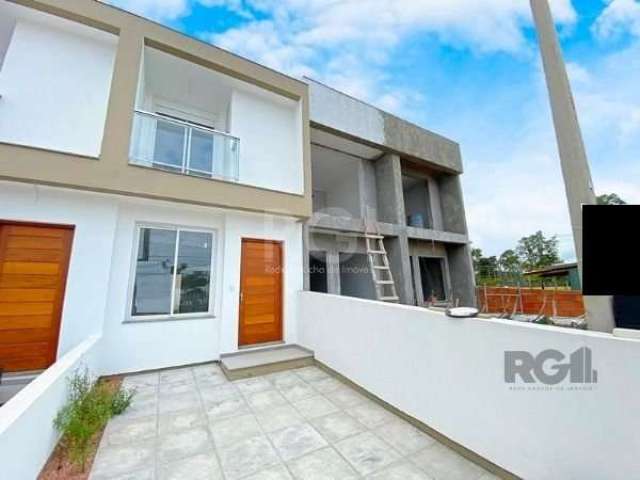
(568, 303)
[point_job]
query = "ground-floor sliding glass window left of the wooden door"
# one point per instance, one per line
(172, 273)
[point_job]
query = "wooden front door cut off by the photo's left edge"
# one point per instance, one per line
(33, 273)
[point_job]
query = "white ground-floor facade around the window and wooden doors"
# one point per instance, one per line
(98, 296)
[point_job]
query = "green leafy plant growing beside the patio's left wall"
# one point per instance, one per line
(90, 404)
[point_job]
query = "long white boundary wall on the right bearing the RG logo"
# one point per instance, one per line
(449, 374)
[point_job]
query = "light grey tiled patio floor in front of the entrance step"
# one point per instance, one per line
(191, 423)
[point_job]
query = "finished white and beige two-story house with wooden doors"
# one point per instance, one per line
(152, 191)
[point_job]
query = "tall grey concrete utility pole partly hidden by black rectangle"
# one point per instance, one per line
(573, 157)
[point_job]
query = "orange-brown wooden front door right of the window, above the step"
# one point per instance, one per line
(260, 292)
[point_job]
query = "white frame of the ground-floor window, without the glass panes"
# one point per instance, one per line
(129, 317)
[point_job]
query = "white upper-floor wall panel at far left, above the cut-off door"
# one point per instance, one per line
(55, 84)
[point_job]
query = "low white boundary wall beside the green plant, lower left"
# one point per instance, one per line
(27, 434)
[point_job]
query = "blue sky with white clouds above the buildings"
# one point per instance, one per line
(467, 69)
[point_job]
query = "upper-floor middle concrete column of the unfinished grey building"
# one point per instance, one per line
(389, 187)
